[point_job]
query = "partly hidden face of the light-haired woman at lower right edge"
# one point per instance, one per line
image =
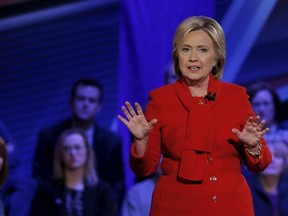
(276, 167)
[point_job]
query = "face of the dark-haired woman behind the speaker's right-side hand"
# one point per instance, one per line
(263, 106)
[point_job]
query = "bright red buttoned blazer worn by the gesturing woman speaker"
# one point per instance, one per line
(202, 158)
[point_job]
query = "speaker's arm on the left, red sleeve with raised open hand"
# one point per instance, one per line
(146, 146)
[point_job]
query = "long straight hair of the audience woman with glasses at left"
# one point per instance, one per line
(90, 174)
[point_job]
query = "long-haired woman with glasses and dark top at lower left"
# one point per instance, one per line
(76, 189)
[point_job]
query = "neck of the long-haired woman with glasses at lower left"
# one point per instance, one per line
(74, 179)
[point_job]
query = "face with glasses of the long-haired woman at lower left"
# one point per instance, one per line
(74, 152)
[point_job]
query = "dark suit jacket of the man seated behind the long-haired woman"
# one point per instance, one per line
(106, 145)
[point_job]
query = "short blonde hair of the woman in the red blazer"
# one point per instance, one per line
(215, 32)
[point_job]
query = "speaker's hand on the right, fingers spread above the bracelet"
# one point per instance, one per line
(252, 132)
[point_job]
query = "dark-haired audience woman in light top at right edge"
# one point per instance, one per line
(266, 104)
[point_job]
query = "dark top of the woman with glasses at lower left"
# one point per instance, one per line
(53, 198)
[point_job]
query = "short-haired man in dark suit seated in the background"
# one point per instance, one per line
(86, 102)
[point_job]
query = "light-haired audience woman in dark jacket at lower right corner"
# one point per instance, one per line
(270, 188)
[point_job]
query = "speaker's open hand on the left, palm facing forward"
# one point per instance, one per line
(136, 121)
